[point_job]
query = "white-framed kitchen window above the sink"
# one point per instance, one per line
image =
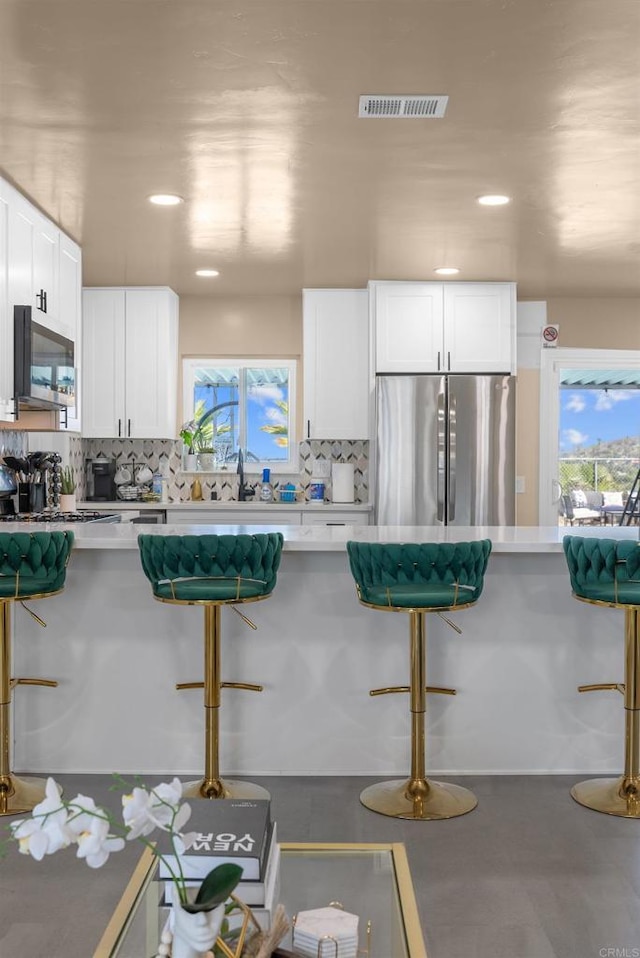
(243, 404)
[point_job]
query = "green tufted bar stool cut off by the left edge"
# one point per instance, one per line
(32, 566)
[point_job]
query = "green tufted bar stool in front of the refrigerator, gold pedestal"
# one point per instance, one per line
(418, 578)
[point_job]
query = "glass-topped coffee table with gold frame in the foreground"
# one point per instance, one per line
(371, 880)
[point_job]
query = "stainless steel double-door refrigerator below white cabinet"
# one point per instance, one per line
(445, 450)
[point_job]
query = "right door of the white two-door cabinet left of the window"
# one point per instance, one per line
(151, 381)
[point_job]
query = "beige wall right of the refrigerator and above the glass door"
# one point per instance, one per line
(586, 323)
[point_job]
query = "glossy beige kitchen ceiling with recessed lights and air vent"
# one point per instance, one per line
(249, 110)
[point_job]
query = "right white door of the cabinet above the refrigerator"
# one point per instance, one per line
(479, 327)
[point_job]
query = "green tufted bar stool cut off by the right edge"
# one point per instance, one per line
(606, 572)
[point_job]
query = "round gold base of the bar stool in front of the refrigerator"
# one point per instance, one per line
(439, 801)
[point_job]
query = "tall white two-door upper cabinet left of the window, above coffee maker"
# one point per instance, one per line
(130, 363)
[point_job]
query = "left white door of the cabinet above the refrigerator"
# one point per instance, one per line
(408, 322)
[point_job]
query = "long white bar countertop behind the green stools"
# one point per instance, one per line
(505, 539)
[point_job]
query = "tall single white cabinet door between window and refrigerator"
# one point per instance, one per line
(336, 363)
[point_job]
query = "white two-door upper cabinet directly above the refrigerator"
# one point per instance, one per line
(444, 327)
